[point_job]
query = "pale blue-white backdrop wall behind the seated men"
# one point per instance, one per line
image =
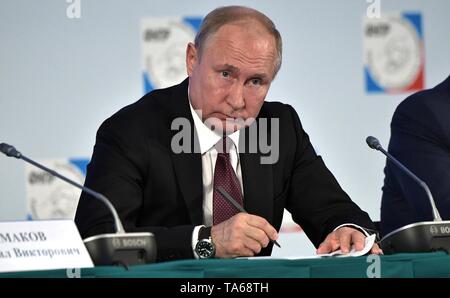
(60, 78)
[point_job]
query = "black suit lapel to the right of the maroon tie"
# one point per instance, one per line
(257, 180)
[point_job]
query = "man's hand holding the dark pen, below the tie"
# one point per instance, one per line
(243, 235)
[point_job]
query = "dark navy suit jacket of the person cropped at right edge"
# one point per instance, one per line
(420, 139)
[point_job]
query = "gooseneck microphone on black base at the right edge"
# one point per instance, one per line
(416, 237)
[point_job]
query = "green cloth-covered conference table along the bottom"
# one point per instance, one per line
(435, 264)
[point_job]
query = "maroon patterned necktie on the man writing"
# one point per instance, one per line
(225, 177)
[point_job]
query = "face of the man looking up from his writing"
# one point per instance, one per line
(233, 75)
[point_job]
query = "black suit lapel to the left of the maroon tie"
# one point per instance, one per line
(188, 166)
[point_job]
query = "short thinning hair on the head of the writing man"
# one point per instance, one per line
(231, 14)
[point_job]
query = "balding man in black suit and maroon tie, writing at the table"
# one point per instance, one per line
(161, 159)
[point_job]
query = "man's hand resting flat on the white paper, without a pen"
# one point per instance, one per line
(344, 238)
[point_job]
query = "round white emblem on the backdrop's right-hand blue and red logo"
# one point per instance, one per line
(393, 52)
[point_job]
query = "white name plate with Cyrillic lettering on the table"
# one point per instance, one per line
(41, 245)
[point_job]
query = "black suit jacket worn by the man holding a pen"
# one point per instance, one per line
(159, 191)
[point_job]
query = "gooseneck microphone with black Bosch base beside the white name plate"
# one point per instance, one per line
(105, 249)
